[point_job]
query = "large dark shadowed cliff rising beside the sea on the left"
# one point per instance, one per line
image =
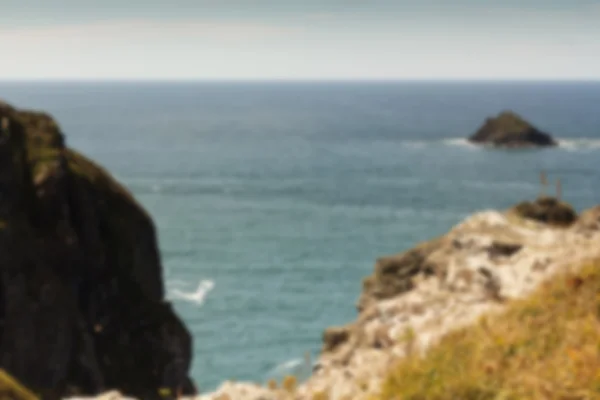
(82, 304)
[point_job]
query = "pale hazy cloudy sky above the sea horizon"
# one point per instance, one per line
(299, 39)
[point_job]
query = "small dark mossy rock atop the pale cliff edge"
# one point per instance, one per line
(547, 210)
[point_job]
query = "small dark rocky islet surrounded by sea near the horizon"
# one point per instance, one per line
(511, 130)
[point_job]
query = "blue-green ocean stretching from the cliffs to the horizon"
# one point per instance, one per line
(273, 200)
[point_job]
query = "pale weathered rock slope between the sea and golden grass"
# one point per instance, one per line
(414, 298)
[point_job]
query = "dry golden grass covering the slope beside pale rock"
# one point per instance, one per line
(544, 347)
